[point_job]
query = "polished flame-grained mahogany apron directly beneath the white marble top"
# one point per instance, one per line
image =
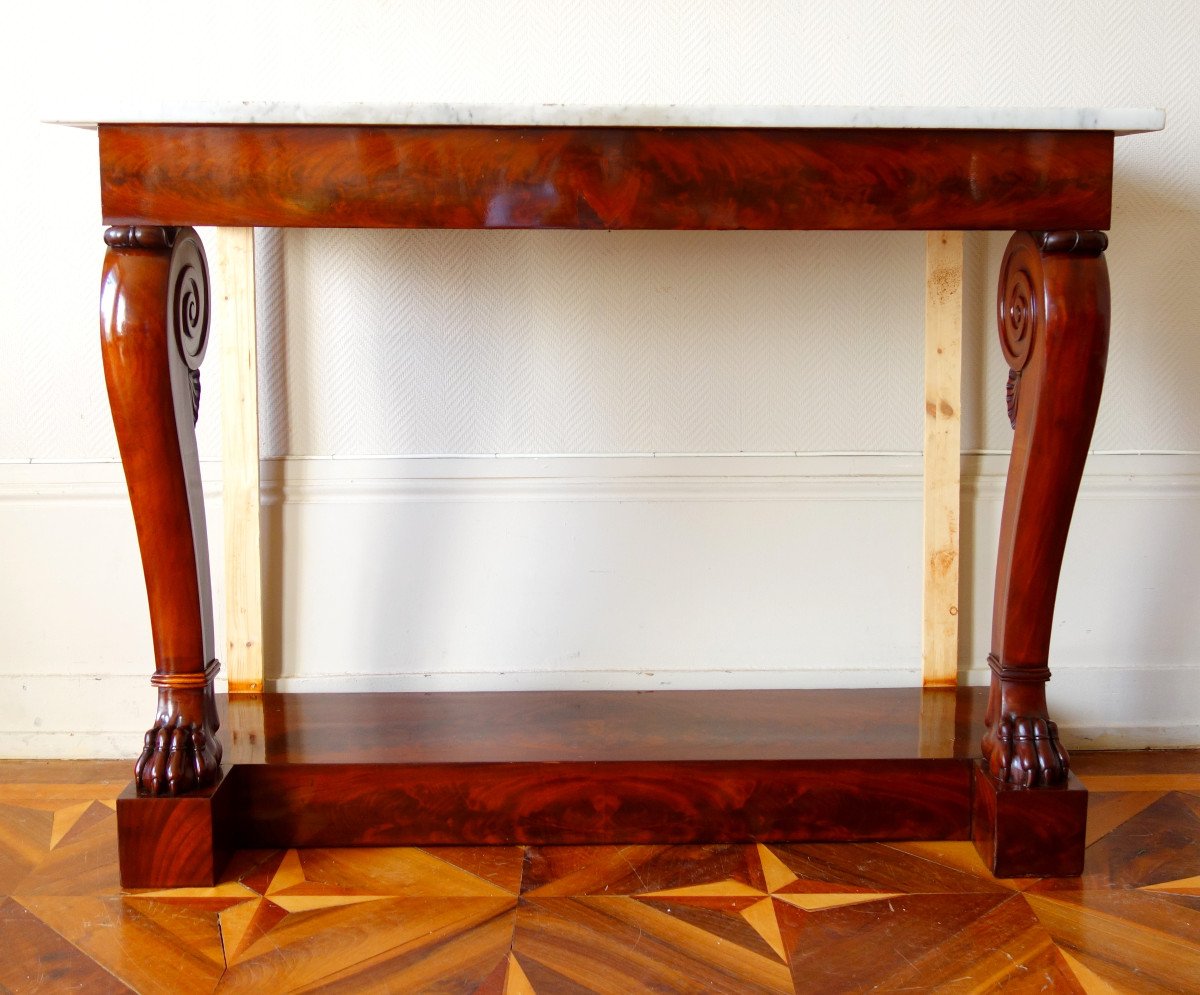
(340, 177)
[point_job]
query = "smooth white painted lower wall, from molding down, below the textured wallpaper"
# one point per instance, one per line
(602, 572)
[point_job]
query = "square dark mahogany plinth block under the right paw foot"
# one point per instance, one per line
(1030, 832)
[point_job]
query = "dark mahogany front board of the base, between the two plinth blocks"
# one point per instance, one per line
(599, 804)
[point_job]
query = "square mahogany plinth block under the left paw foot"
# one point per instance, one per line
(175, 843)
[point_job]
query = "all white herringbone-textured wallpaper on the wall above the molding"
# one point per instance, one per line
(419, 343)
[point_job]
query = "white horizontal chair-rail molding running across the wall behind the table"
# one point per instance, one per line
(633, 477)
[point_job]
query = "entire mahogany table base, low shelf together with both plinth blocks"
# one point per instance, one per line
(607, 768)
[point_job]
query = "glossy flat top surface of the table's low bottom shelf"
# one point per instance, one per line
(523, 727)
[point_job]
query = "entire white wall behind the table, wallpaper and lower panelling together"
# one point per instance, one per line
(775, 540)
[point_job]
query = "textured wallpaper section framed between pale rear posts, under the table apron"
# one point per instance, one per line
(455, 343)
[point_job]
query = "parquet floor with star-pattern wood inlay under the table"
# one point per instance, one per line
(831, 918)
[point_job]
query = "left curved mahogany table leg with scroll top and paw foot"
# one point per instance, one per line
(154, 328)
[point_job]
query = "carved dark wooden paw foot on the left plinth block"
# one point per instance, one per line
(182, 752)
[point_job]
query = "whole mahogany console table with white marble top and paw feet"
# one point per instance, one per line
(668, 768)
